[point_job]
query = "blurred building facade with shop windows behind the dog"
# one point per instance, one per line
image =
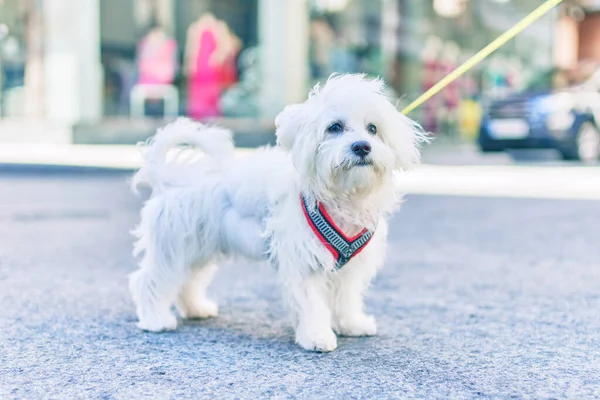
(248, 58)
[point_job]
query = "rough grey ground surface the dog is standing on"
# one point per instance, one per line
(480, 298)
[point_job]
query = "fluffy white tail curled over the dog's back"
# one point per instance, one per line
(213, 141)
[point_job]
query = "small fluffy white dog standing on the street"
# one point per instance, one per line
(315, 207)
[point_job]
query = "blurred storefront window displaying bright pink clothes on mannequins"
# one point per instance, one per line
(202, 50)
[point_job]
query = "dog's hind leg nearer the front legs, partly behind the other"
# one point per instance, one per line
(193, 301)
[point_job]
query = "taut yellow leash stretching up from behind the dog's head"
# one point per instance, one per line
(483, 53)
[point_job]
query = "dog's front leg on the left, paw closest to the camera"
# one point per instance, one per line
(306, 296)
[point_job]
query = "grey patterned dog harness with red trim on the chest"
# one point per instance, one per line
(341, 246)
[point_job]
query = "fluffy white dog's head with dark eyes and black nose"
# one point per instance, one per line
(348, 137)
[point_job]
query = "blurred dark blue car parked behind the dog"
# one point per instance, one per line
(565, 118)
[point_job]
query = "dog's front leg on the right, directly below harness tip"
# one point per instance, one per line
(349, 317)
